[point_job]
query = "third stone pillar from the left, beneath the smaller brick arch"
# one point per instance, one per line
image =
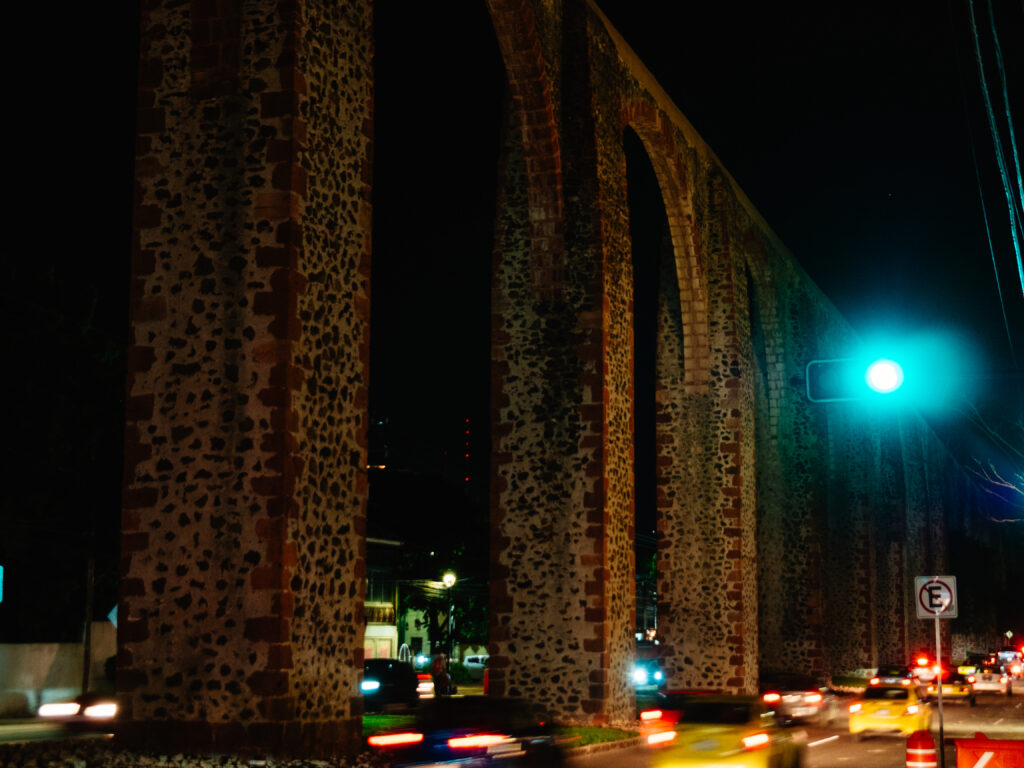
(708, 612)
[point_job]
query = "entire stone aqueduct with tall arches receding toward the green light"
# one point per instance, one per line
(784, 531)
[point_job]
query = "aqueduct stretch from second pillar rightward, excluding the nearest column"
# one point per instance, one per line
(783, 527)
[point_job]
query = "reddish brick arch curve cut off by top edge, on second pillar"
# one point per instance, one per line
(516, 28)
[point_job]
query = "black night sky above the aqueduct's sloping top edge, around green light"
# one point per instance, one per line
(851, 129)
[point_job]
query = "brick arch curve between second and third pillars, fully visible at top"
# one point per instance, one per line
(667, 157)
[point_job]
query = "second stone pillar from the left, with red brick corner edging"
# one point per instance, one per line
(563, 587)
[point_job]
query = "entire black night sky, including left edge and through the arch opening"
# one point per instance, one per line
(852, 129)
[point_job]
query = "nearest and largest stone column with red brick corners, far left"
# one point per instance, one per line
(243, 552)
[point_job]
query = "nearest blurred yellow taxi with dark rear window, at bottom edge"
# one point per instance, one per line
(713, 730)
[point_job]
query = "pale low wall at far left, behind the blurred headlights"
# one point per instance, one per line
(33, 674)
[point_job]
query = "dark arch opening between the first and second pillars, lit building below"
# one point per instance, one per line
(435, 183)
